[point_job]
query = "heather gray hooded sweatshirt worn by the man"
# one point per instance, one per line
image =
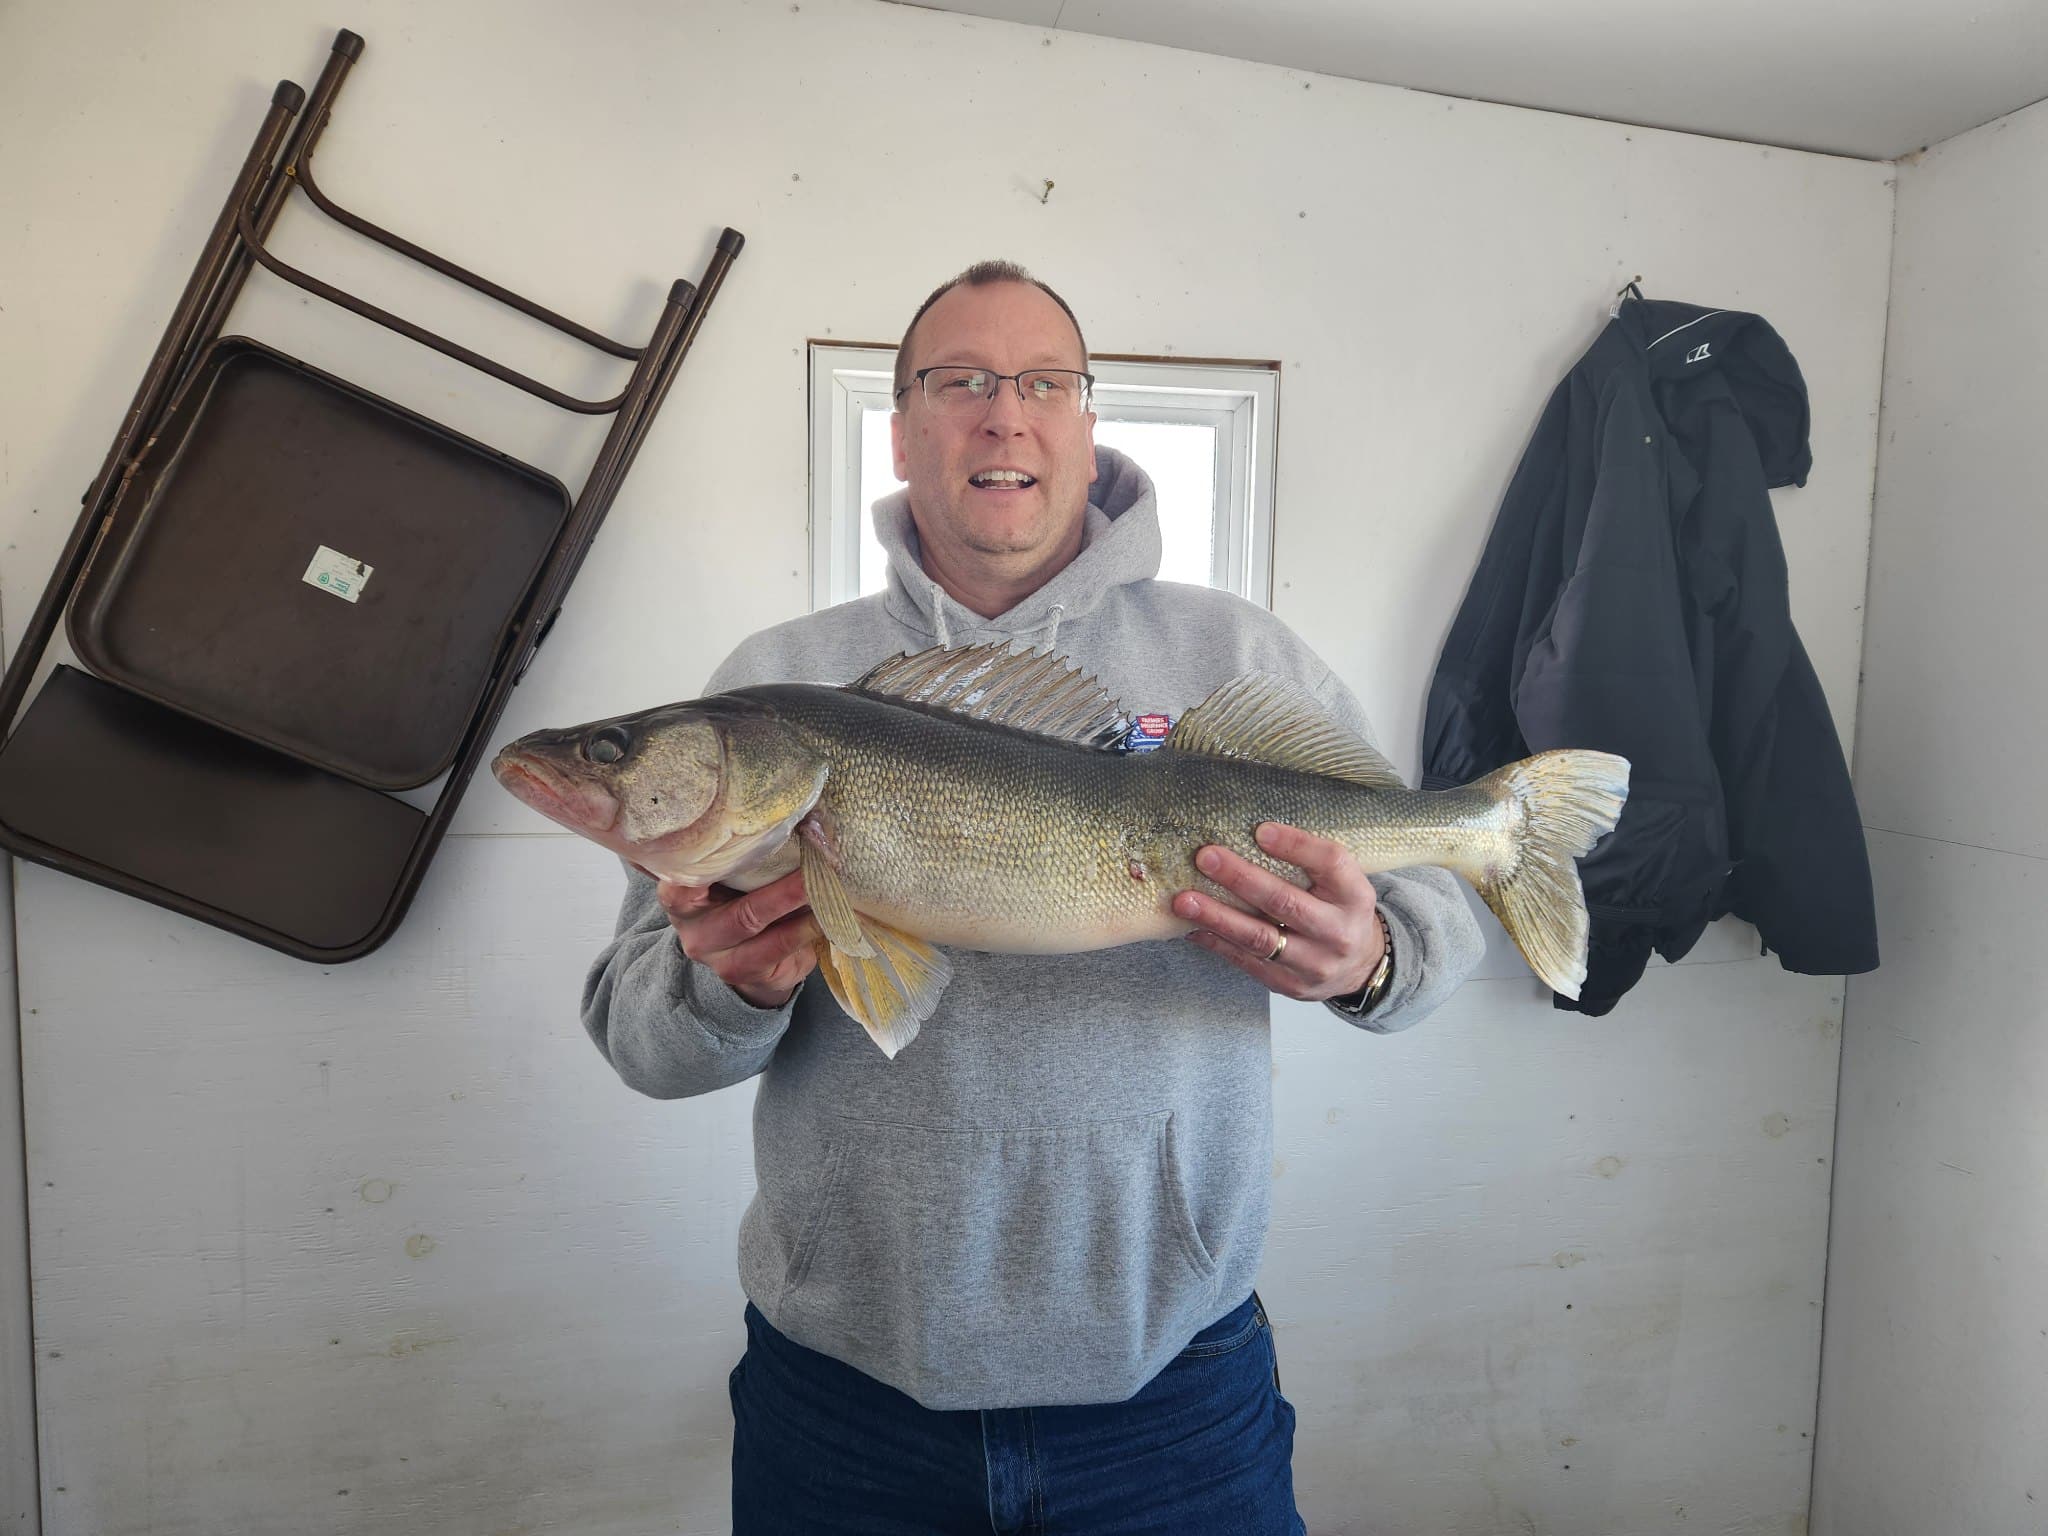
(1066, 1175)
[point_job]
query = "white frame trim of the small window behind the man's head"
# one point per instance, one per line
(1240, 400)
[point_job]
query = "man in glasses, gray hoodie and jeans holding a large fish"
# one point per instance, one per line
(1005, 1281)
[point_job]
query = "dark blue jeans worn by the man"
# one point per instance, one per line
(1203, 1451)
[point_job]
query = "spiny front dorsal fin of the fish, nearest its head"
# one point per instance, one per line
(992, 683)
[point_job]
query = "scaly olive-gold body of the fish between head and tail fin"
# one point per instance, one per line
(996, 839)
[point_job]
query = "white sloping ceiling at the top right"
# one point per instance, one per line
(1869, 79)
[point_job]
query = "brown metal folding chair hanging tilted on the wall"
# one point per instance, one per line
(296, 597)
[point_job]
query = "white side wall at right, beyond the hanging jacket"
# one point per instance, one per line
(1934, 1412)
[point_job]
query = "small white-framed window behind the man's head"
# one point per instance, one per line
(1203, 431)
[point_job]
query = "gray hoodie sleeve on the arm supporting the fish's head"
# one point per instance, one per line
(669, 1025)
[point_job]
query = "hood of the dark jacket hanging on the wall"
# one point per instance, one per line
(1687, 343)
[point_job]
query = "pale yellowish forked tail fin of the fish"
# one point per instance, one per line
(1564, 802)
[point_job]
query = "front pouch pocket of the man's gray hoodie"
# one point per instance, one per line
(984, 1258)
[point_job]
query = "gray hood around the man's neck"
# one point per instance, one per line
(1119, 546)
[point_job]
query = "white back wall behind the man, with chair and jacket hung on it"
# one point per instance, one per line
(398, 1232)
